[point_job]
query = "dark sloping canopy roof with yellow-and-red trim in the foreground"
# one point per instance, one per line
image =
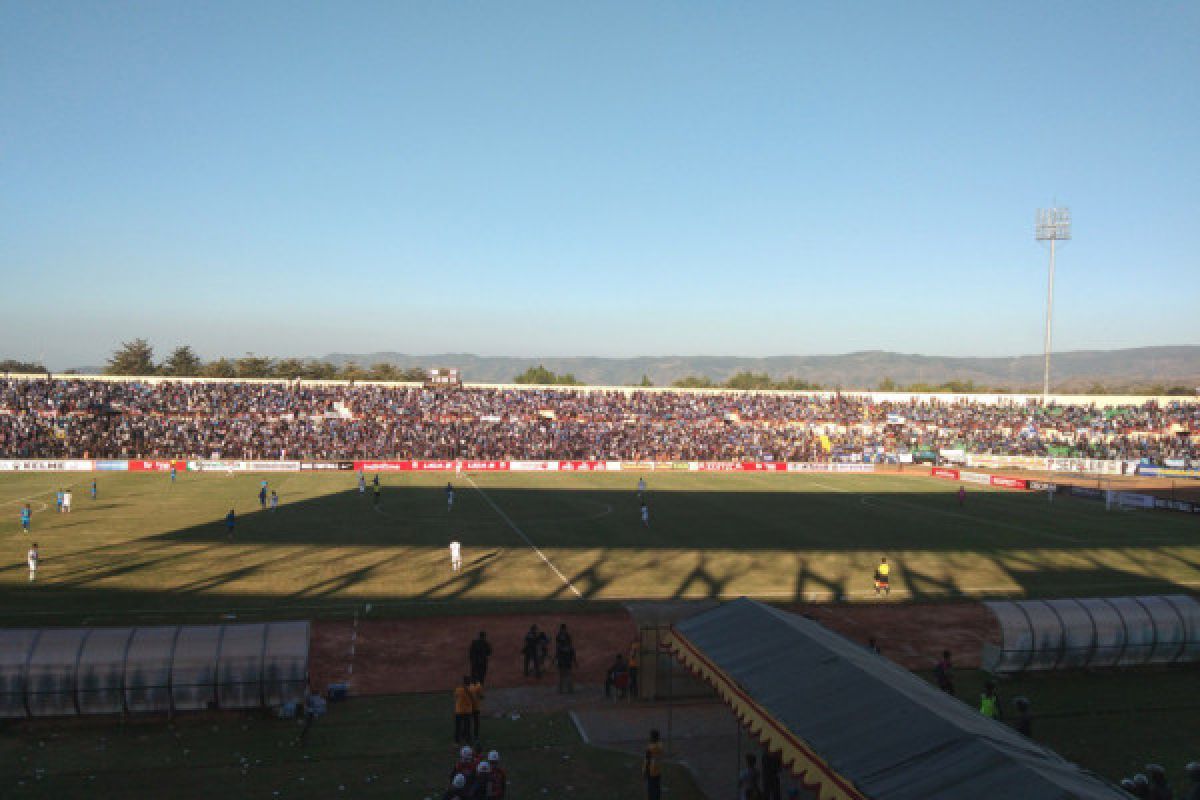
(854, 726)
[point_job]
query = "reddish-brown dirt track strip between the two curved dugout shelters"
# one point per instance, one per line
(430, 654)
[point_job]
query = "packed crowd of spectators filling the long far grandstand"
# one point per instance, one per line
(129, 419)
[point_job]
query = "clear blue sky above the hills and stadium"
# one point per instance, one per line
(596, 179)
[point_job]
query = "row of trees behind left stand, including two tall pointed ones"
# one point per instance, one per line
(137, 358)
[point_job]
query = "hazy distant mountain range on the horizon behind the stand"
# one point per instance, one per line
(1078, 371)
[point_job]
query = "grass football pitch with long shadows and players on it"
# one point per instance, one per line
(147, 549)
